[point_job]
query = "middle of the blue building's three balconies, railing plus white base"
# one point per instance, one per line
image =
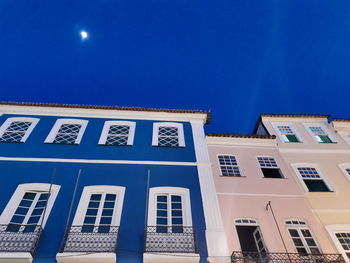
(98, 244)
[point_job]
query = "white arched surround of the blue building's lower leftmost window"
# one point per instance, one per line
(17, 196)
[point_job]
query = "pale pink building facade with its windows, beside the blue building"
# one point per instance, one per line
(263, 208)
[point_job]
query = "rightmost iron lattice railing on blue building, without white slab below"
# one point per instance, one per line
(169, 239)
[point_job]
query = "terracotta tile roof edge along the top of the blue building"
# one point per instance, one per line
(98, 107)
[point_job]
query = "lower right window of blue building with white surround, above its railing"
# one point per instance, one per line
(169, 209)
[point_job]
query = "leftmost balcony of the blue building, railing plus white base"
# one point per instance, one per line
(19, 241)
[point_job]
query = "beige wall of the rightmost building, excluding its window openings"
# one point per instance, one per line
(330, 208)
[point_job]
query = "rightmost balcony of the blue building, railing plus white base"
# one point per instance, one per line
(167, 243)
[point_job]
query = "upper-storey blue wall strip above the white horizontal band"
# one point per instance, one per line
(89, 148)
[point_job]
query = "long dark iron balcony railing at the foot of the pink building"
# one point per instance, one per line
(255, 257)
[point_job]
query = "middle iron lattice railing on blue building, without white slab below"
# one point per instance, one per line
(102, 239)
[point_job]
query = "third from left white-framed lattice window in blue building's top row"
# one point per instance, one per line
(117, 133)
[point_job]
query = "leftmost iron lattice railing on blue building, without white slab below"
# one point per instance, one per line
(22, 238)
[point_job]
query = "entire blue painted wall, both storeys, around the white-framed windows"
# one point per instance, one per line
(133, 177)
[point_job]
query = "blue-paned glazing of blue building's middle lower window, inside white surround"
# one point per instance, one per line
(99, 213)
